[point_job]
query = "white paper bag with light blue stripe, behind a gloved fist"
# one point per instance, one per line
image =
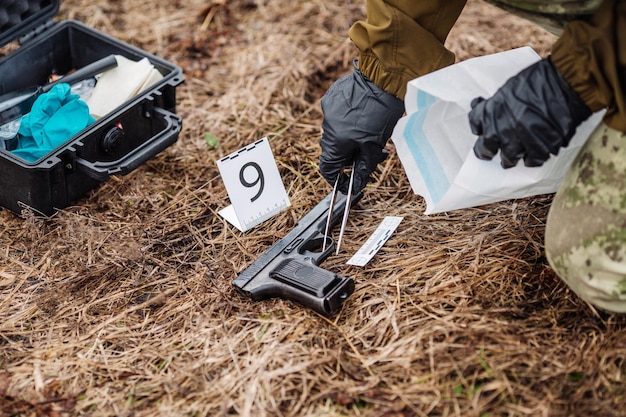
(434, 140)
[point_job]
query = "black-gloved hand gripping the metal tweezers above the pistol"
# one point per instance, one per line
(359, 117)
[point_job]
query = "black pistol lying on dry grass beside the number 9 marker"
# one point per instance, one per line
(289, 268)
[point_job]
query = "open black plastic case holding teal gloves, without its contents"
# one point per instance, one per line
(149, 123)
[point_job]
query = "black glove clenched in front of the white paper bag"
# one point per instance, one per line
(531, 116)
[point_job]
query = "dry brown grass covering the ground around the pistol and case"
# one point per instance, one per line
(122, 304)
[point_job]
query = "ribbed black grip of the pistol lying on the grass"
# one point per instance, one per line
(312, 286)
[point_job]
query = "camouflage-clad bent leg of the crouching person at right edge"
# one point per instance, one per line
(586, 227)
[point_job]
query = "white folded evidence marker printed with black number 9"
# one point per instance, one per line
(254, 186)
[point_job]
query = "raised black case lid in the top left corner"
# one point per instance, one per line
(18, 17)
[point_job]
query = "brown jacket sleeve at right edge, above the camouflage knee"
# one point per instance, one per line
(591, 56)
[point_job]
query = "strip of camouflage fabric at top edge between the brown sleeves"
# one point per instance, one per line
(551, 15)
